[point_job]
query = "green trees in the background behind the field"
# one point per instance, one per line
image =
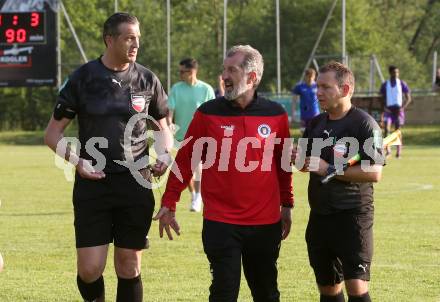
(400, 32)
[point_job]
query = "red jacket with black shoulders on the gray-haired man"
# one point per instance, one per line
(241, 150)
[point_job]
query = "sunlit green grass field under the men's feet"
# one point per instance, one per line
(37, 239)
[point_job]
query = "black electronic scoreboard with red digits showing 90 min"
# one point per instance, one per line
(28, 55)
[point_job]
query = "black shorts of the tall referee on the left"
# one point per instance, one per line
(115, 209)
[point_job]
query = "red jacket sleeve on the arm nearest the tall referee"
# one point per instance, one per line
(181, 172)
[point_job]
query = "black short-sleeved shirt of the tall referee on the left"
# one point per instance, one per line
(104, 101)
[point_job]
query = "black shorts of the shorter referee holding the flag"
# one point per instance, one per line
(340, 246)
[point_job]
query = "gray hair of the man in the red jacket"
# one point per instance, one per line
(253, 60)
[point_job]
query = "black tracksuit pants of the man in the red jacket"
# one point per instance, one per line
(228, 245)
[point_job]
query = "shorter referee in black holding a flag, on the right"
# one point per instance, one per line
(339, 233)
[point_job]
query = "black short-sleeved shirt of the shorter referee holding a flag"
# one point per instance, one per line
(338, 195)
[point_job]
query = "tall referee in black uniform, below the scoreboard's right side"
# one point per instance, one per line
(109, 204)
